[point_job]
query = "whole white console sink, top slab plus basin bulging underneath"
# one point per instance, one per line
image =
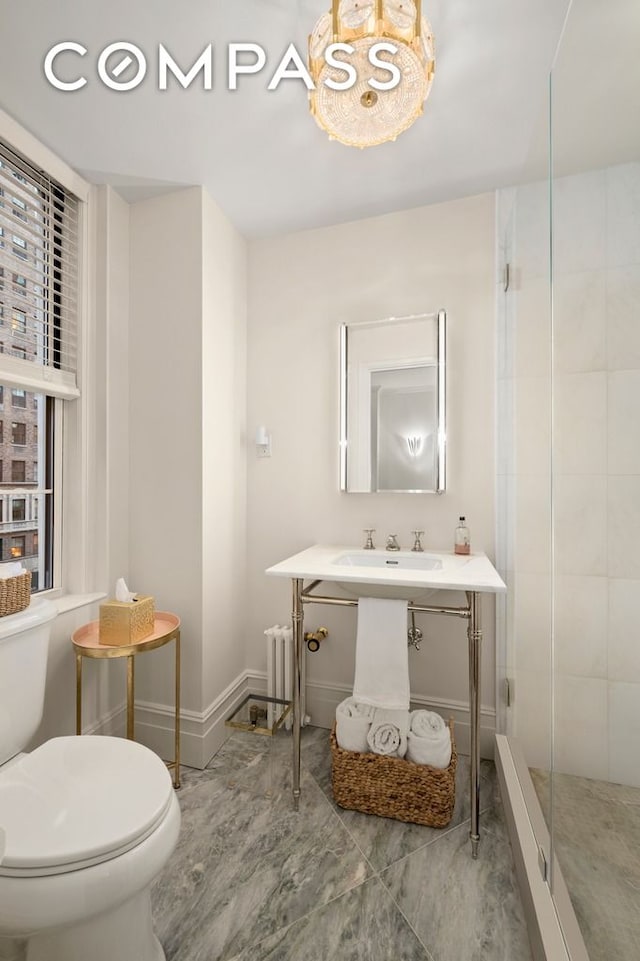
(400, 574)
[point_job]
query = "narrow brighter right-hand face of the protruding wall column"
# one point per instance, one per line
(224, 501)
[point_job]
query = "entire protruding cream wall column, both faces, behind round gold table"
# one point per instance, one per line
(187, 462)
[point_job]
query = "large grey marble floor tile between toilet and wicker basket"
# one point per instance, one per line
(246, 866)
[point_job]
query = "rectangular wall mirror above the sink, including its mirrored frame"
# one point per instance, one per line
(392, 405)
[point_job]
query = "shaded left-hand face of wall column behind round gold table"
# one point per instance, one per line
(165, 411)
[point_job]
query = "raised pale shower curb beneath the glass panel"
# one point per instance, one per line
(553, 928)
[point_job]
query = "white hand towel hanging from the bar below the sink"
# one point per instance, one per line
(382, 659)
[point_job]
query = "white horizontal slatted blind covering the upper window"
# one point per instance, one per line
(39, 239)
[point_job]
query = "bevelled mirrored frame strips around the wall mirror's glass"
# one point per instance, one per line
(441, 402)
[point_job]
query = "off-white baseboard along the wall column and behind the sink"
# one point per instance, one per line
(202, 734)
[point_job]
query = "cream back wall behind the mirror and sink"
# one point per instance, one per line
(301, 287)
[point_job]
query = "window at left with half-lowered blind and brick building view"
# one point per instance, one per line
(39, 290)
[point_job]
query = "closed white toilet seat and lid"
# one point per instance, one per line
(79, 801)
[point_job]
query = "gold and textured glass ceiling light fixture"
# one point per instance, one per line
(370, 111)
